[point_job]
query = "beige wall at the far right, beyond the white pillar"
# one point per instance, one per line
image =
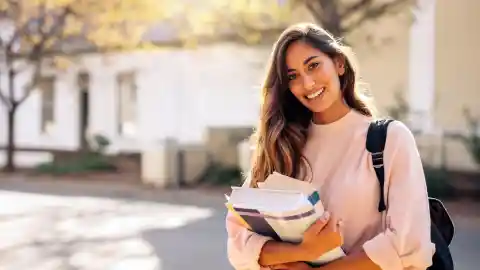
(457, 80)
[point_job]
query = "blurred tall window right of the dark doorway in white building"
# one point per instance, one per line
(127, 104)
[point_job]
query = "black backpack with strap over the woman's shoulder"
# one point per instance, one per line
(442, 228)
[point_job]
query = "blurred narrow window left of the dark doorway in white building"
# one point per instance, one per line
(47, 114)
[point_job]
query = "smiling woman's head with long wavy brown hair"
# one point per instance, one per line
(311, 78)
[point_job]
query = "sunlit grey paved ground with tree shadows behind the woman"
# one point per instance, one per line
(51, 225)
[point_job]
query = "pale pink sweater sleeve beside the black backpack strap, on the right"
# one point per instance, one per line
(405, 243)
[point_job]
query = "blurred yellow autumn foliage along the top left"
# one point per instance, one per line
(64, 25)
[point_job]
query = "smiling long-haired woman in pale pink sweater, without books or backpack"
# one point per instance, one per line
(313, 127)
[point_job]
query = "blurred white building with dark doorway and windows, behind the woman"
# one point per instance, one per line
(139, 98)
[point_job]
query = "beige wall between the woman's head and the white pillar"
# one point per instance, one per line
(383, 62)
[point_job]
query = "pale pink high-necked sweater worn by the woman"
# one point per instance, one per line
(344, 176)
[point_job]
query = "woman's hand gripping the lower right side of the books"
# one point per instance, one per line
(320, 237)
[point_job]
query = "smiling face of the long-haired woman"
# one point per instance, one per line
(313, 76)
